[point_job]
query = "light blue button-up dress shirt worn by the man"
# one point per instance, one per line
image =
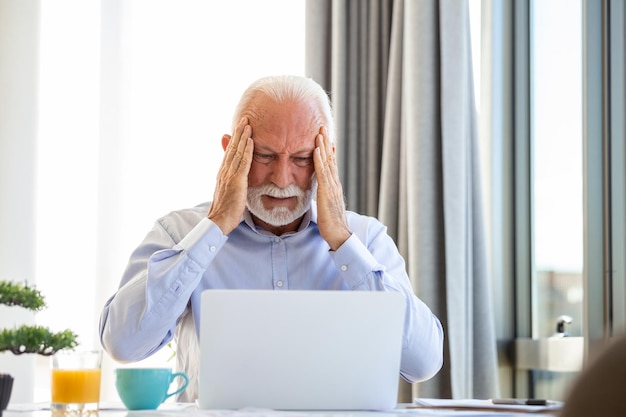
(186, 253)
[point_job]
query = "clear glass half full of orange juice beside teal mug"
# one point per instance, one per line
(75, 382)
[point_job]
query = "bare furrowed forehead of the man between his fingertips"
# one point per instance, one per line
(283, 126)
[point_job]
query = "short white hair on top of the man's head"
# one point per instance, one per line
(283, 88)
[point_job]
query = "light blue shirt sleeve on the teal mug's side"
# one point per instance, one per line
(141, 317)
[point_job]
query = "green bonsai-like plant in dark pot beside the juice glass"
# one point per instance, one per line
(27, 338)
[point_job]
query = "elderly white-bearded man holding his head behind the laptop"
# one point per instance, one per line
(277, 222)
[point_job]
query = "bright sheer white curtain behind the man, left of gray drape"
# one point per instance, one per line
(134, 98)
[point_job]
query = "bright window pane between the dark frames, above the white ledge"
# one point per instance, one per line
(557, 177)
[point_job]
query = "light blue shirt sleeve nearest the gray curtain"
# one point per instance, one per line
(369, 260)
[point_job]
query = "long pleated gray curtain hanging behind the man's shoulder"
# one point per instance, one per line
(400, 78)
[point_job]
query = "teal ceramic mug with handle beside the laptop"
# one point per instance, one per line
(146, 388)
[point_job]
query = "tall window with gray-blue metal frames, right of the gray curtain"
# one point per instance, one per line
(554, 119)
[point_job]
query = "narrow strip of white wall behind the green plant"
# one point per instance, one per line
(19, 43)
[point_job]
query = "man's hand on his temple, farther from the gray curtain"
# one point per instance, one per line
(231, 190)
